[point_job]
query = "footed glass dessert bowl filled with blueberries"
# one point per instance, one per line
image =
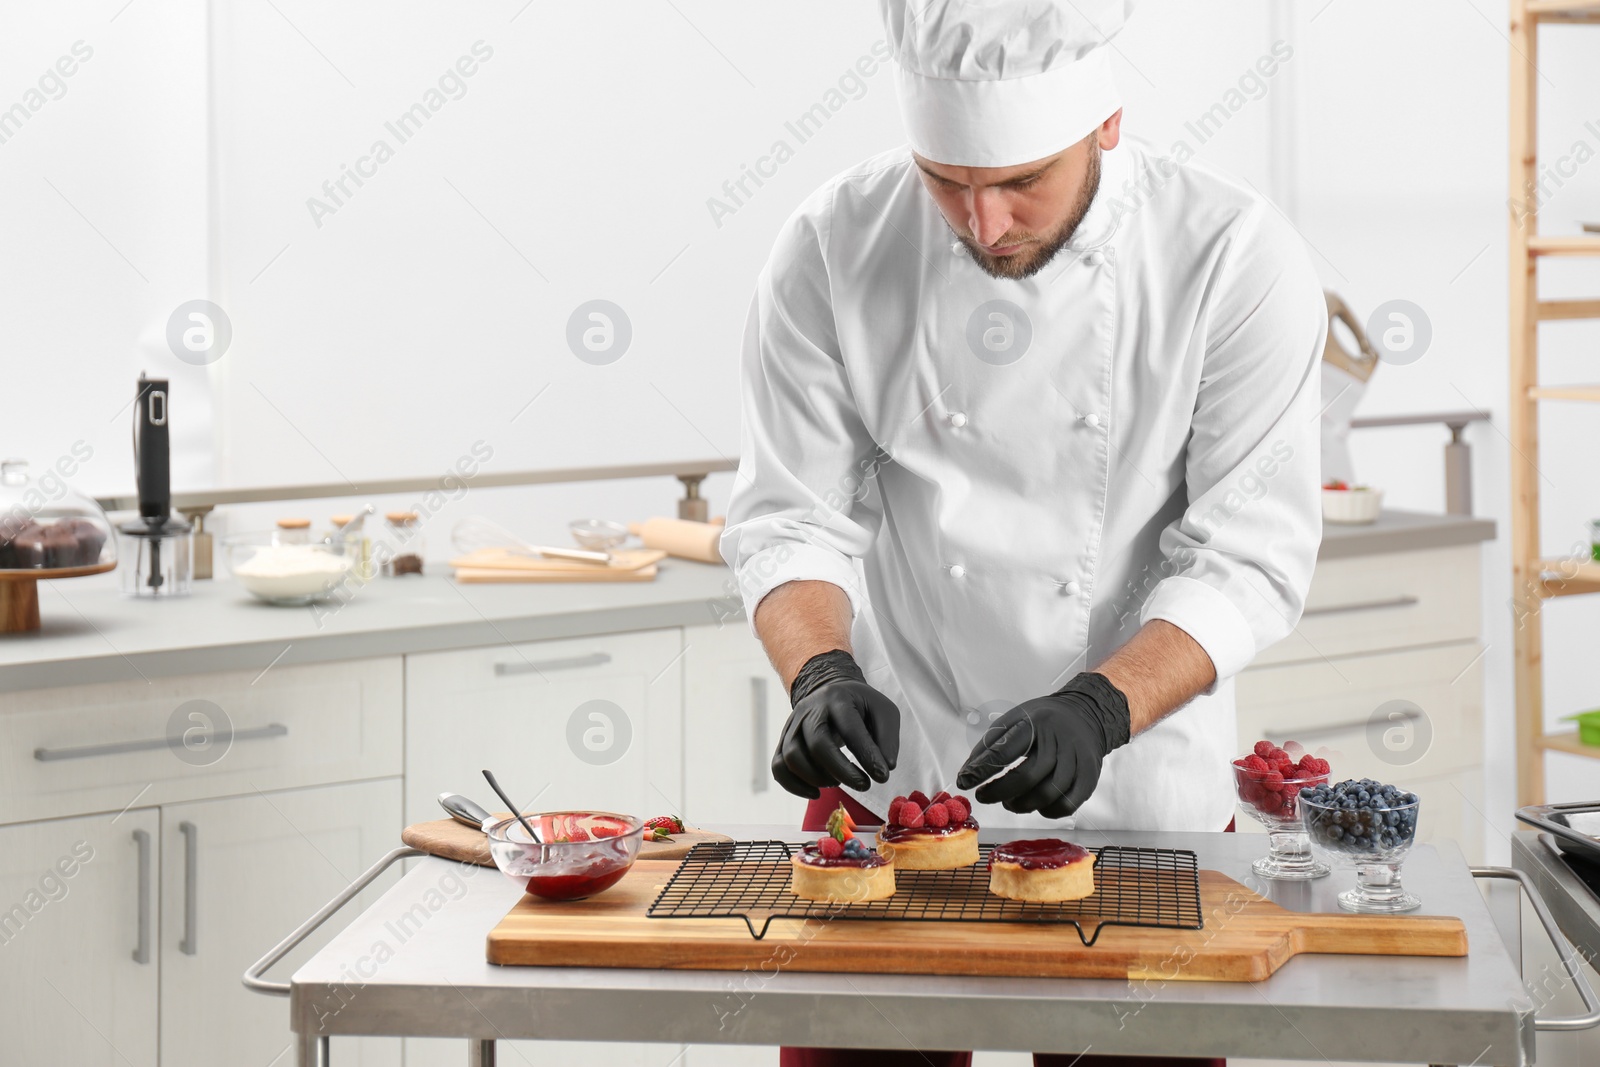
(1369, 826)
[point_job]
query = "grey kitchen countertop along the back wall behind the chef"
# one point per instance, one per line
(94, 634)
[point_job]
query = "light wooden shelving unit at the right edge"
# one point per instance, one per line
(1537, 578)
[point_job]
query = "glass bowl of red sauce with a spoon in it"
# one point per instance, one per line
(580, 853)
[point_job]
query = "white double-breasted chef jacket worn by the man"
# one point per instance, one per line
(1006, 500)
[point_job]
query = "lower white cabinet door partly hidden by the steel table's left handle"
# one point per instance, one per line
(241, 874)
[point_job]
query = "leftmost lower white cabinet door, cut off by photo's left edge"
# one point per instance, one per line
(79, 941)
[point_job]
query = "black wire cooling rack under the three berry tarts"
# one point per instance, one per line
(750, 881)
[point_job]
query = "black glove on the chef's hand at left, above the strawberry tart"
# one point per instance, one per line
(834, 708)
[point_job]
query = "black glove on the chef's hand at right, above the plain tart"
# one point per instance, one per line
(1062, 740)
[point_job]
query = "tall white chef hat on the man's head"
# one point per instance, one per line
(1002, 82)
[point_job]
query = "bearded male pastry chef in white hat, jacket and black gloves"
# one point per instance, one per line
(1030, 466)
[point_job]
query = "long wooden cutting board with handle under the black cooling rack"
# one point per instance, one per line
(1246, 940)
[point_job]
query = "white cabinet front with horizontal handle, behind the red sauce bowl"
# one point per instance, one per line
(591, 722)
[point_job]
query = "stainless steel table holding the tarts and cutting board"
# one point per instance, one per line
(414, 965)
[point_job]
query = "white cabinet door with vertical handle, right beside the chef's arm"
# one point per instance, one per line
(734, 714)
